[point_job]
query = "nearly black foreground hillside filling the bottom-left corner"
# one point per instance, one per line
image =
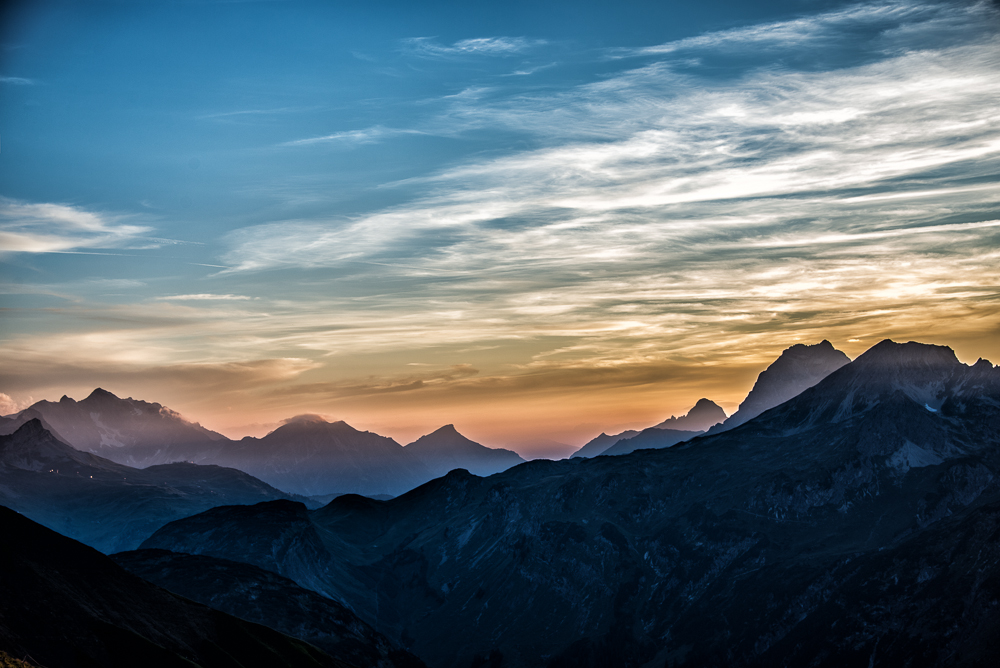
(65, 604)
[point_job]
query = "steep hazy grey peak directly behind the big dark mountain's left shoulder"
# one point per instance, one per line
(797, 369)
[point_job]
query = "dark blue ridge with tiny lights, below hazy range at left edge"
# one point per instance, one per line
(106, 505)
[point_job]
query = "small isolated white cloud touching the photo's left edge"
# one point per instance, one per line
(29, 227)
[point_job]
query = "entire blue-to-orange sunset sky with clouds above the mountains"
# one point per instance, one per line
(537, 221)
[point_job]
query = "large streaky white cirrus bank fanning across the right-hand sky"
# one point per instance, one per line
(671, 209)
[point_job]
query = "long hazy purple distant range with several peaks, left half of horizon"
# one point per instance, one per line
(307, 455)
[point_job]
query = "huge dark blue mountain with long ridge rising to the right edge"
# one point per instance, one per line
(857, 522)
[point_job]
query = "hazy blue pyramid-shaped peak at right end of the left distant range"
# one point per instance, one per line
(446, 449)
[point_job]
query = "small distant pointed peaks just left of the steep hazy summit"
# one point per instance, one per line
(670, 432)
